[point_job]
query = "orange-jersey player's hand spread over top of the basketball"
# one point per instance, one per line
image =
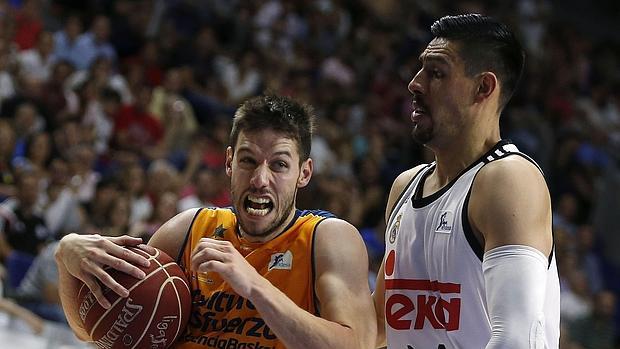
(86, 256)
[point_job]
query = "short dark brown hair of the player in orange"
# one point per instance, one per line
(278, 113)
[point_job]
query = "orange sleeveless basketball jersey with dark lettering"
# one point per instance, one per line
(222, 319)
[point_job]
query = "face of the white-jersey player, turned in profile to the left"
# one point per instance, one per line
(440, 94)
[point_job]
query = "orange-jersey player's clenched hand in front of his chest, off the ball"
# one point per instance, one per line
(222, 257)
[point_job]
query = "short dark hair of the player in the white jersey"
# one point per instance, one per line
(485, 44)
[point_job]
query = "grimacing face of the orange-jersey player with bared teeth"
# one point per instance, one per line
(265, 174)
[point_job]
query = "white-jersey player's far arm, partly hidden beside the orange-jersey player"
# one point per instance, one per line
(399, 185)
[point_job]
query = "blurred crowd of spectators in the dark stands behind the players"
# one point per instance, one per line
(114, 116)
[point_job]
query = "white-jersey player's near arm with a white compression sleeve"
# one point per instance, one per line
(511, 210)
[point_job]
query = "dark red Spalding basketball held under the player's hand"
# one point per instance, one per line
(153, 315)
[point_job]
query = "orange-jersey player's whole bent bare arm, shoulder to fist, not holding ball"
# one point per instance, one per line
(341, 288)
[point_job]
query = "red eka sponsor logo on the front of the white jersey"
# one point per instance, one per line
(406, 310)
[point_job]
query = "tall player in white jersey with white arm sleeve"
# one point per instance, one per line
(469, 257)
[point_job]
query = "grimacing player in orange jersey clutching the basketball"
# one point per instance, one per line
(263, 273)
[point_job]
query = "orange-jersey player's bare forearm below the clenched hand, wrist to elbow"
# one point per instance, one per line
(297, 328)
